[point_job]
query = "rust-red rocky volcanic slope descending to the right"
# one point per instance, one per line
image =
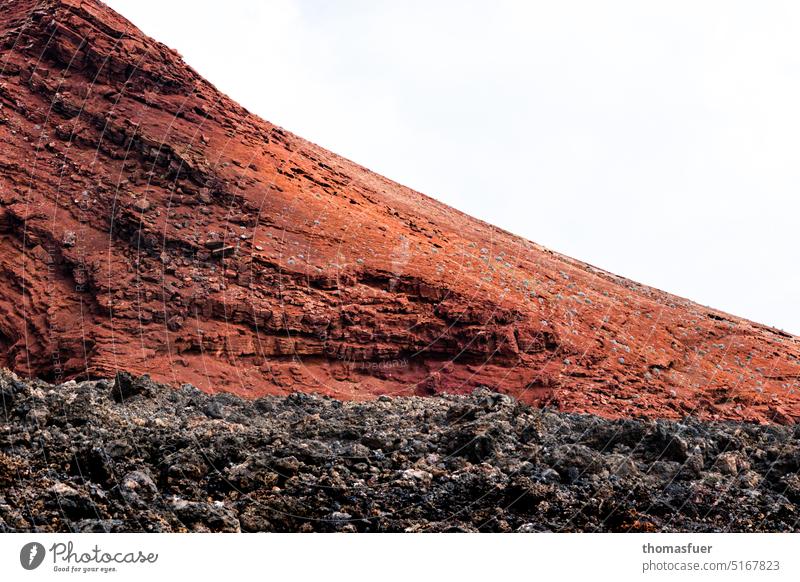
(149, 223)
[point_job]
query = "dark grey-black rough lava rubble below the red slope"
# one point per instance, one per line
(136, 456)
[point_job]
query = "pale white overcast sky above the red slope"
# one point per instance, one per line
(657, 140)
